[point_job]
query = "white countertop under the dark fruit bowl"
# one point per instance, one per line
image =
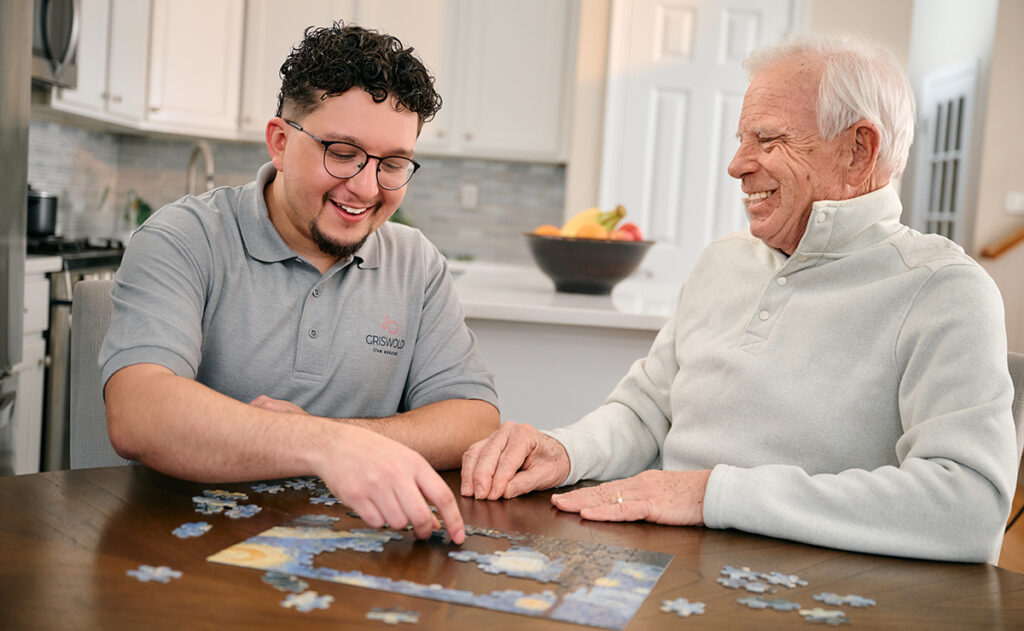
(523, 293)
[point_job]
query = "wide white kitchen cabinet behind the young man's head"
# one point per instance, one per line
(504, 70)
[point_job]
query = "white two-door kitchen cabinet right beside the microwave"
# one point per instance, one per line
(113, 60)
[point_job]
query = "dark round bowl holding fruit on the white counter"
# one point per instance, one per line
(586, 266)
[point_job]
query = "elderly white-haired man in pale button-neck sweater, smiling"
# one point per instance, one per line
(832, 376)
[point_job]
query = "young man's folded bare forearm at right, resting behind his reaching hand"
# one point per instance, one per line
(441, 432)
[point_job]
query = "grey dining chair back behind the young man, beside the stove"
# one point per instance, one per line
(91, 317)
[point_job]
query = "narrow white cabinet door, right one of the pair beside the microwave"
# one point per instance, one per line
(129, 61)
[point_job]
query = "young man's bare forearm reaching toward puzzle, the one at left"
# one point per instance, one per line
(186, 430)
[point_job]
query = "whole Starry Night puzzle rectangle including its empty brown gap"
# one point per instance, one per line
(572, 581)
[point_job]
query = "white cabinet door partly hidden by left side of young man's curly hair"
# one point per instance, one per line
(273, 28)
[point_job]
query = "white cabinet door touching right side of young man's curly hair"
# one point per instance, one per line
(430, 27)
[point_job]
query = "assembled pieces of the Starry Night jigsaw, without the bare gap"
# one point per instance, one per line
(591, 583)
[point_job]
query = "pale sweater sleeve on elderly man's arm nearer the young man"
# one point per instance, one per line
(625, 436)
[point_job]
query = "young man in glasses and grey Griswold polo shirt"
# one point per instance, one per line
(284, 328)
